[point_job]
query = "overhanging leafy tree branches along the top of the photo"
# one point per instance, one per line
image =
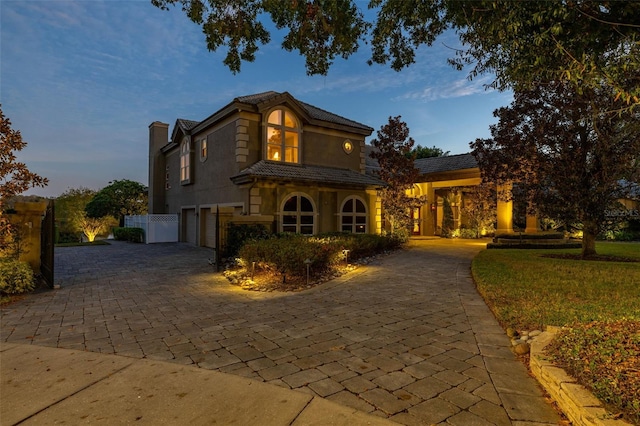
(520, 42)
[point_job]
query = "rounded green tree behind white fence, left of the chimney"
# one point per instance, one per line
(118, 199)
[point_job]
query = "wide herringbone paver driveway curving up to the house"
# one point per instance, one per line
(406, 337)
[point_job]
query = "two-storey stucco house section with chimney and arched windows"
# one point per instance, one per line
(268, 159)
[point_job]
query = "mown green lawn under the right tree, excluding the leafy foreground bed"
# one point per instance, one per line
(528, 291)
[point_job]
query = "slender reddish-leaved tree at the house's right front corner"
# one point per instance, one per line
(398, 171)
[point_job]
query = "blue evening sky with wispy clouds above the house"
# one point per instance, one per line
(82, 81)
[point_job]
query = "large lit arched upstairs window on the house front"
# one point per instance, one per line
(283, 137)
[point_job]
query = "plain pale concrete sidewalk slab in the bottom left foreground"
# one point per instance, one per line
(54, 386)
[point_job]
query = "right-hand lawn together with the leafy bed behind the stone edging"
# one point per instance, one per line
(598, 301)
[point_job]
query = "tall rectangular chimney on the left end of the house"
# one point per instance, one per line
(158, 137)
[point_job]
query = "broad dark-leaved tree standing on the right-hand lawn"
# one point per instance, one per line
(566, 151)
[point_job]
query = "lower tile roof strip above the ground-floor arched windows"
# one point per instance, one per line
(305, 173)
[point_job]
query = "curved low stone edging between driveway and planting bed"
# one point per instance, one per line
(575, 401)
